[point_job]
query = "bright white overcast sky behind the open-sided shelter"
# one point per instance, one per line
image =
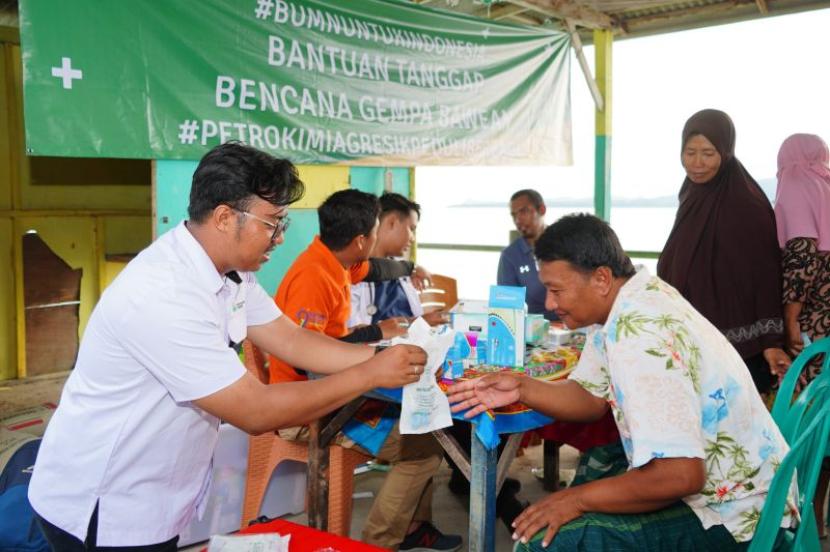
(770, 75)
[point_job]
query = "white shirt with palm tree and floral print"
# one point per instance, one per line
(678, 389)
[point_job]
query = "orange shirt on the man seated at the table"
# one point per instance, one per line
(316, 294)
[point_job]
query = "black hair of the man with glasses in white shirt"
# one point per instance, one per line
(233, 174)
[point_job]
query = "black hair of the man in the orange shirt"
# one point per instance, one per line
(346, 214)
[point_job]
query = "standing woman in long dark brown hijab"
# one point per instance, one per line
(722, 253)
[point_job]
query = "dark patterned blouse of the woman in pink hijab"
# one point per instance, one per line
(807, 281)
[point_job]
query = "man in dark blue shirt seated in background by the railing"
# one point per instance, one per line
(517, 265)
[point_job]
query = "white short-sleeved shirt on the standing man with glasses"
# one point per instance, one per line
(126, 434)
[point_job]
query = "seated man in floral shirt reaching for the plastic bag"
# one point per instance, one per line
(702, 447)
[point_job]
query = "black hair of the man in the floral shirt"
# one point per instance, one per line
(585, 241)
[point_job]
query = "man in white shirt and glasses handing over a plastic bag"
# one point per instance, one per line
(125, 463)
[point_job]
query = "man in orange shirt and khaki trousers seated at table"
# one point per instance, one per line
(315, 293)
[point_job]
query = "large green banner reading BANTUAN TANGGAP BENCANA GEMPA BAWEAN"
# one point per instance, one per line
(376, 82)
